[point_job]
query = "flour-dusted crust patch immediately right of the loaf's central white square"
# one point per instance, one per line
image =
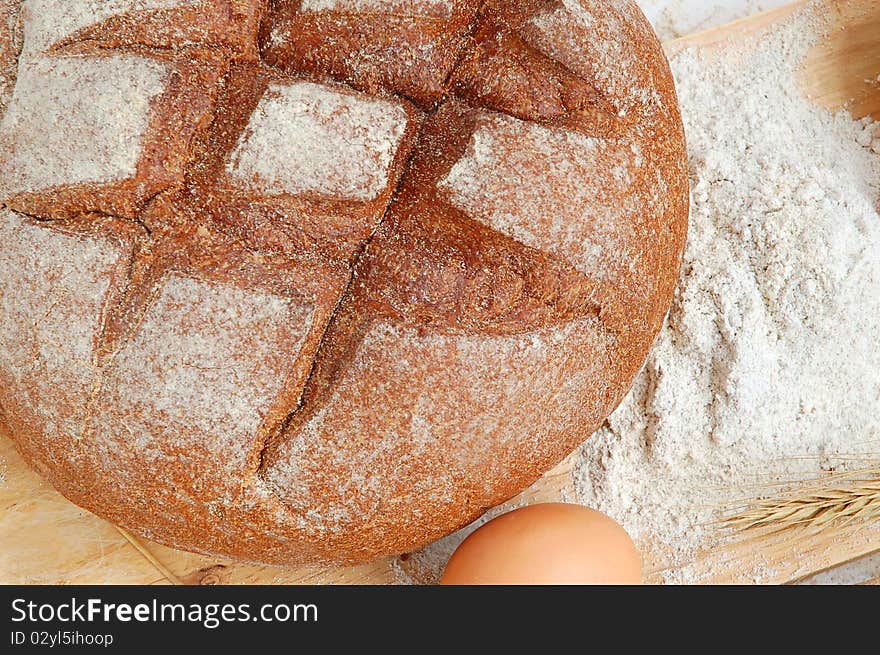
(550, 188)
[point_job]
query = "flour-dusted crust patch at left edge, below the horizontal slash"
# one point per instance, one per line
(51, 301)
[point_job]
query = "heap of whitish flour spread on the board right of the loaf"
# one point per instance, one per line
(769, 366)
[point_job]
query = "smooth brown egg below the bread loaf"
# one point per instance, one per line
(546, 544)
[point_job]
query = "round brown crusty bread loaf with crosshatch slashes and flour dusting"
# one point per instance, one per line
(320, 280)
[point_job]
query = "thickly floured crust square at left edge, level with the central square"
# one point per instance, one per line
(73, 121)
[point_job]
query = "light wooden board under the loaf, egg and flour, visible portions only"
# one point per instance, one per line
(46, 539)
